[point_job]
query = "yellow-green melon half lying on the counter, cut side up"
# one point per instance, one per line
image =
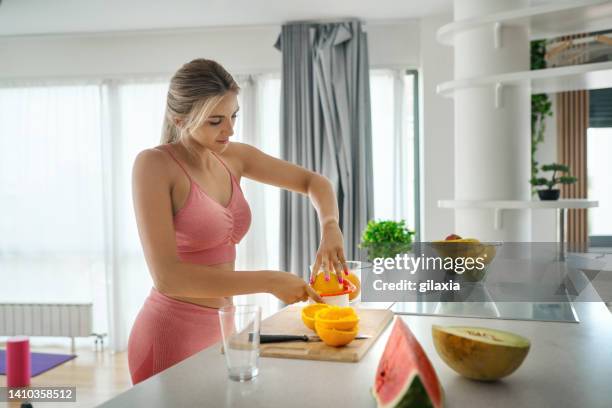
(480, 353)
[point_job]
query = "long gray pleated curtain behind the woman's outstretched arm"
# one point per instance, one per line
(325, 127)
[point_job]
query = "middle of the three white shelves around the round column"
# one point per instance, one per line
(576, 77)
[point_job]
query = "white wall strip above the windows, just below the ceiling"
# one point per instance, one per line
(239, 49)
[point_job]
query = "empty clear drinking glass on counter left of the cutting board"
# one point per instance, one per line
(240, 329)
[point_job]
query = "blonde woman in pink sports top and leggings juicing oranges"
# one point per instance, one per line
(191, 214)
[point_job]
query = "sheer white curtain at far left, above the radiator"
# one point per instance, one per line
(51, 196)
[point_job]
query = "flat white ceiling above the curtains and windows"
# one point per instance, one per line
(22, 17)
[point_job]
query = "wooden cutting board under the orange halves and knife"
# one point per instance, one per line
(288, 321)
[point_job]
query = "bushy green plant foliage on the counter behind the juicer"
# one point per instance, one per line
(385, 239)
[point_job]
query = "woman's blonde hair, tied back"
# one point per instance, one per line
(194, 91)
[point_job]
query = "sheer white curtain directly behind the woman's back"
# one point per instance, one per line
(134, 111)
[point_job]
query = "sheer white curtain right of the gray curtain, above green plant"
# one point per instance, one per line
(392, 99)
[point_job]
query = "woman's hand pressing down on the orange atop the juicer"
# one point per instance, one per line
(330, 255)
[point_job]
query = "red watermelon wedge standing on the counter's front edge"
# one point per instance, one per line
(405, 377)
